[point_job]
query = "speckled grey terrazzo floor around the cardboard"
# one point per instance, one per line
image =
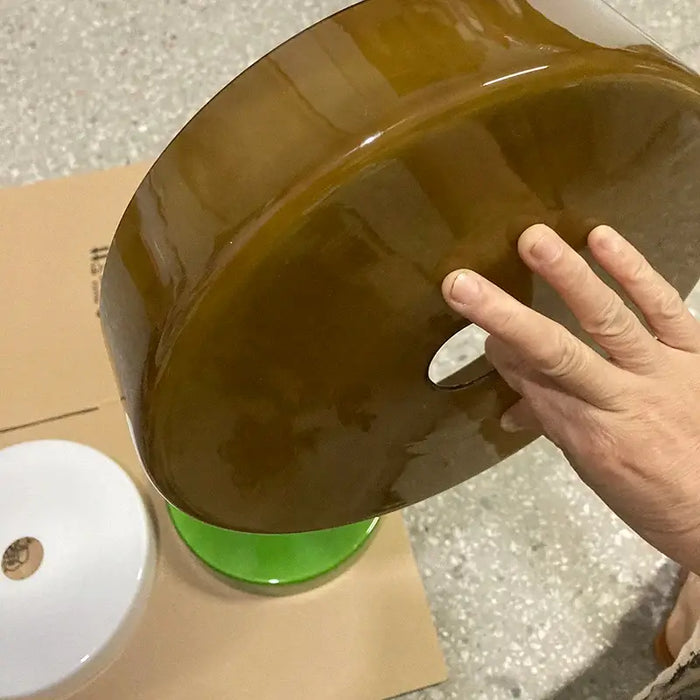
(537, 590)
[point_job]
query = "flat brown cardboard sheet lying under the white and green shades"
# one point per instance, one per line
(366, 634)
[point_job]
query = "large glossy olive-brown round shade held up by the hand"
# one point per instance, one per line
(272, 297)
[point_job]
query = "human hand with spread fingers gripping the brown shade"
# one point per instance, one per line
(630, 424)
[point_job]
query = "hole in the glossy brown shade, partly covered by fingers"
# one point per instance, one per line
(461, 360)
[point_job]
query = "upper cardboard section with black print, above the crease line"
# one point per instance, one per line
(54, 237)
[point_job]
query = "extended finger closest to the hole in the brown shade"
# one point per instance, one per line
(544, 344)
